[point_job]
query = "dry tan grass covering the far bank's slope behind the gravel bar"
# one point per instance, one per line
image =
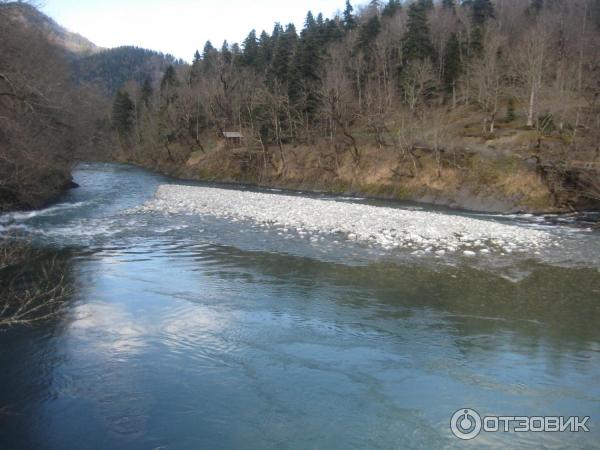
(386, 172)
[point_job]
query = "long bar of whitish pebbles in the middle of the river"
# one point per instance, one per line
(419, 231)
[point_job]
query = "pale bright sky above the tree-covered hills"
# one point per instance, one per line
(179, 27)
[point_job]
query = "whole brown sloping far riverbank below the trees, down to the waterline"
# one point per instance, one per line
(501, 182)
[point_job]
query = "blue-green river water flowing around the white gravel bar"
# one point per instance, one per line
(189, 331)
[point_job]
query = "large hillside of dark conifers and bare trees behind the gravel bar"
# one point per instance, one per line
(415, 99)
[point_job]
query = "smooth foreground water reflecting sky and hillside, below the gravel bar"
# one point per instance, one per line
(275, 349)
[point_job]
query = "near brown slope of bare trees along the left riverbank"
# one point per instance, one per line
(46, 122)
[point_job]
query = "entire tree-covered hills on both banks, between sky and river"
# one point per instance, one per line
(406, 99)
